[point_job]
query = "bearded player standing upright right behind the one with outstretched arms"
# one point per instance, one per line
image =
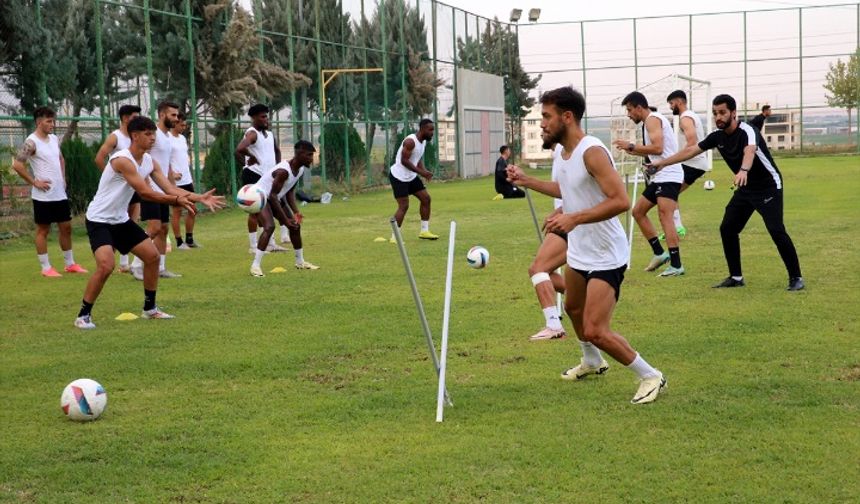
(157, 215)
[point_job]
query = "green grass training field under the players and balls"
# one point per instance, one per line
(317, 386)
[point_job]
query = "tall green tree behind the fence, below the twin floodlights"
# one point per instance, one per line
(496, 51)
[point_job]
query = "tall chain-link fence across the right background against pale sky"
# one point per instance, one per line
(777, 57)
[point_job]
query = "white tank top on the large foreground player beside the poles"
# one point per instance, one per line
(598, 246)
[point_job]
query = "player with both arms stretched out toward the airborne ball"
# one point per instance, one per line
(109, 226)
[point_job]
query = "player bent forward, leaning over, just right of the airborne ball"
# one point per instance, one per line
(280, 183)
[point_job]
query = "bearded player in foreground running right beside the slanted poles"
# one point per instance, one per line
(592, 195)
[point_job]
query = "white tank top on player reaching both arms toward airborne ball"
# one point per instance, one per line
(110, 204)
